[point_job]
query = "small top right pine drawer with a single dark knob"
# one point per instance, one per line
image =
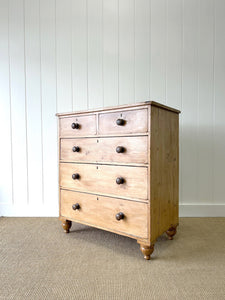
(130, 121)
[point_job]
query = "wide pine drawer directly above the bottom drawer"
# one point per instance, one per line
(102, 179)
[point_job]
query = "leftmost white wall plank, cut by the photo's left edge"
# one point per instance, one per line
(5, 124)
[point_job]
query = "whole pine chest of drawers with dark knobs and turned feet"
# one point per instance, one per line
(118, 170)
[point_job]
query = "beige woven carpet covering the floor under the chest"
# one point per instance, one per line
(39, 261)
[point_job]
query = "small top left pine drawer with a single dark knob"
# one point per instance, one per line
(77, 125)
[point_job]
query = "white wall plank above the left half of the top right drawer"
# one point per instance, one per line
(110, 52)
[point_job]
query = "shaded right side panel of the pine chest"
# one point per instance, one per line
(164, 168)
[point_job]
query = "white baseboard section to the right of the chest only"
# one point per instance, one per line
(202, 210)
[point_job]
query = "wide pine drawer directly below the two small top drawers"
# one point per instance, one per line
(115, 149)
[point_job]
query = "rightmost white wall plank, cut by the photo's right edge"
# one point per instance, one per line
(219, 105)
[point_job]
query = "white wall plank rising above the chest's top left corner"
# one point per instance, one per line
(64, 55)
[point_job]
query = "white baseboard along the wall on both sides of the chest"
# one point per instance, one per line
(185, 210)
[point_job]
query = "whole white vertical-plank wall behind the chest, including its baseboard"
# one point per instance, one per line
(68, 55)
